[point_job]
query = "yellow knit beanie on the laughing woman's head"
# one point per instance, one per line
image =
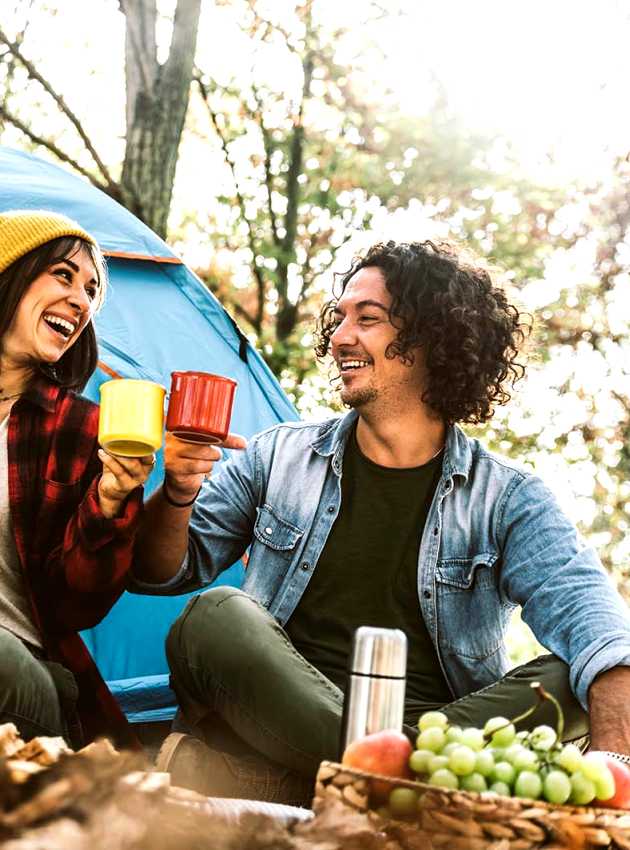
(23, 230)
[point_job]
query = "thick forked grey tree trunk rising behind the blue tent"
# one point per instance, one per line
(157, 101)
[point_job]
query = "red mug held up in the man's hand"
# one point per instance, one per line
(200, 406)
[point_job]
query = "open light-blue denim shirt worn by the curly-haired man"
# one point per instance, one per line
(494, 538)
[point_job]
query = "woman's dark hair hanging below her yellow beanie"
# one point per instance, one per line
(74, 368)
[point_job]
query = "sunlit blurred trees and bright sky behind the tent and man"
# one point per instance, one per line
(268, 141)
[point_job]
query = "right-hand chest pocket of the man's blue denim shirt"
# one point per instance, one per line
(470, 613)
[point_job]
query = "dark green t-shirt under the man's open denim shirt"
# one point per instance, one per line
(367, 574)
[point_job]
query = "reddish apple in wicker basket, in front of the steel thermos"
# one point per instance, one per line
(386, 752)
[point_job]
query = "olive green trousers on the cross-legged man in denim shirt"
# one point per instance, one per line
(271, 717)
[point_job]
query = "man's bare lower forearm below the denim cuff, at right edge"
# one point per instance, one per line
(609, 711)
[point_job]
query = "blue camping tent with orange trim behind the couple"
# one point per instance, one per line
(158, 317)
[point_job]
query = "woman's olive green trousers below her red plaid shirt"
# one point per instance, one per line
(34, 694)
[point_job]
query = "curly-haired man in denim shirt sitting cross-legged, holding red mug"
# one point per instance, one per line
(389, 517)
